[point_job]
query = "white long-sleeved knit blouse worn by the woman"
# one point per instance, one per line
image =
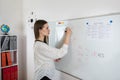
(44, 57)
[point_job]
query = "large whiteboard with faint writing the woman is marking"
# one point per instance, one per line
(94, 50)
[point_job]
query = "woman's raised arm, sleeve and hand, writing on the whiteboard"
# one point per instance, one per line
(54, 53)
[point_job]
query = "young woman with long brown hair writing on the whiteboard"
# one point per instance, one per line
(44, 55)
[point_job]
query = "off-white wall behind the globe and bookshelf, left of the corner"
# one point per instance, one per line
(11, 14)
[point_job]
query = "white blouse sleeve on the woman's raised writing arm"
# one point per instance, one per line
(51, 52)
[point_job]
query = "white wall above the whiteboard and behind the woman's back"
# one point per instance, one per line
(52, 10)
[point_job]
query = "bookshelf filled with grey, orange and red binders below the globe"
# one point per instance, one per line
(8, 57)
